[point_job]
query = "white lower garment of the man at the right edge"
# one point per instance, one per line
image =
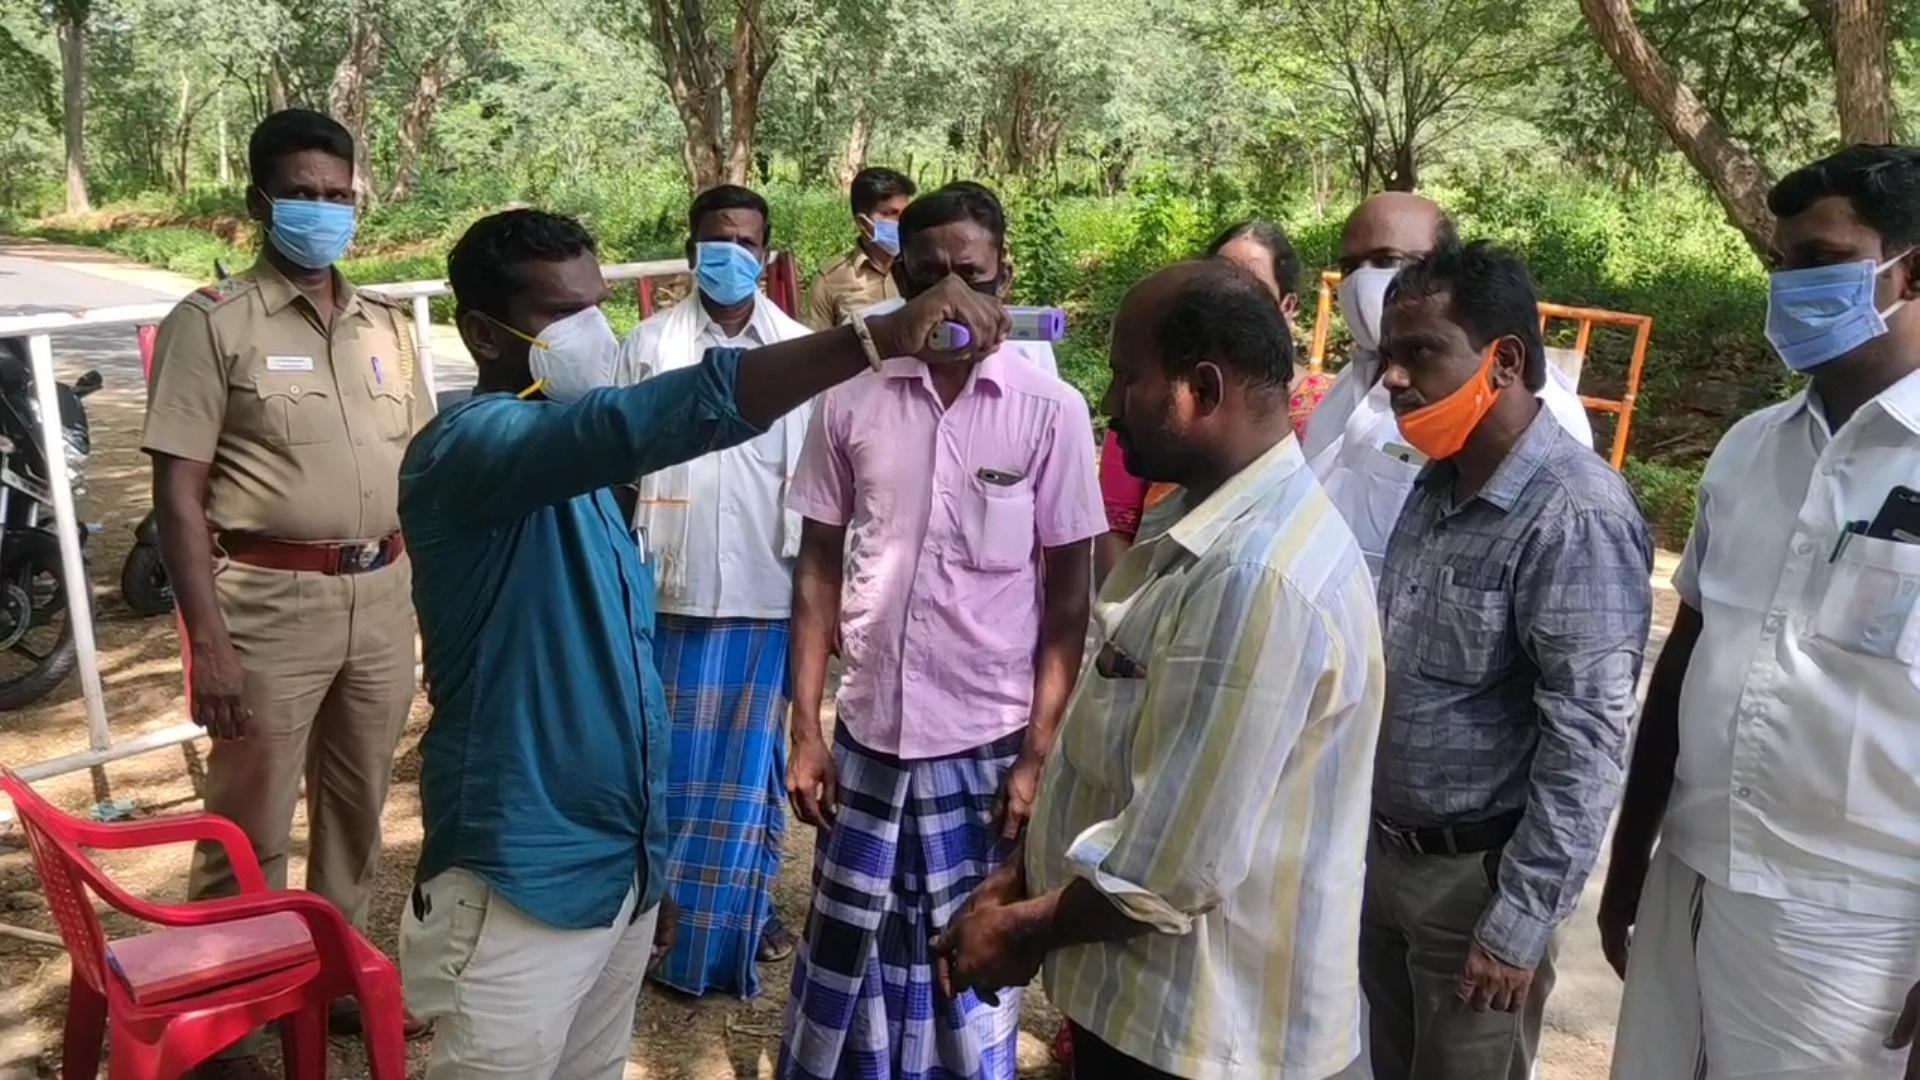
(1735, 987)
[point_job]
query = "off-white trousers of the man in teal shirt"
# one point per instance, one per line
(514, 998)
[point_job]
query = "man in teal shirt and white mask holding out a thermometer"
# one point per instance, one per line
(544, 766)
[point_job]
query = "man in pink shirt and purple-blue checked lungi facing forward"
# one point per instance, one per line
(948, 547)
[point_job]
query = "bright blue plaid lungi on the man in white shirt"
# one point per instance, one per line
(727, 789)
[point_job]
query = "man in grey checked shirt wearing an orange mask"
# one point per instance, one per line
(1516, 610)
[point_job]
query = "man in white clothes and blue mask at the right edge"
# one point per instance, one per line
(1777, 929)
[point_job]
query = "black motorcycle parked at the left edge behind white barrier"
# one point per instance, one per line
(36, 624)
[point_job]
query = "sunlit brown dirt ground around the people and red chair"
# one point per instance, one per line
(675, 1037)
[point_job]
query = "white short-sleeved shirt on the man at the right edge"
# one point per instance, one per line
(1800, 722)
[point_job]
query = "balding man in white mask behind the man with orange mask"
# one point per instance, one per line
(1351, 439)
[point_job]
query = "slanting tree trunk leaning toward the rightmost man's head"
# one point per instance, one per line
(1737, 176)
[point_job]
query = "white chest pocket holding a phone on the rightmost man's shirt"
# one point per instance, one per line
(1873, 602)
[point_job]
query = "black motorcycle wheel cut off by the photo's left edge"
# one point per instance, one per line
(36, 624)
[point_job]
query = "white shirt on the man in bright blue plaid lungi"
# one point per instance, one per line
(727, 549)
